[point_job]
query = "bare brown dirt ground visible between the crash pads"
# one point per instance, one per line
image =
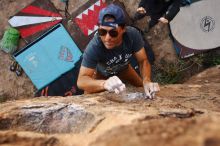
(13, 87)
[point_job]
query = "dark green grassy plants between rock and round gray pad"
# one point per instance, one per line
(175, 72)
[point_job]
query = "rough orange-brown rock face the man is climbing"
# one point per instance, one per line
(179, 115)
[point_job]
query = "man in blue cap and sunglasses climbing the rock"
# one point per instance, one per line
(106, 60)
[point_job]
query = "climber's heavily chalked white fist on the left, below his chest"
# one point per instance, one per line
(114, 84)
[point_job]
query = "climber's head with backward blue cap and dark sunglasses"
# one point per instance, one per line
(111, 26)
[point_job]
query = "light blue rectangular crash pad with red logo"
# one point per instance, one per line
(50, 56)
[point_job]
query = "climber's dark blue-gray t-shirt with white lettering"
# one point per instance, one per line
(110, 61)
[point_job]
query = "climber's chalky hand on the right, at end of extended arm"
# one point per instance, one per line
(150, 89)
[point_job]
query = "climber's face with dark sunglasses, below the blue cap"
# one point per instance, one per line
(111, 37)
